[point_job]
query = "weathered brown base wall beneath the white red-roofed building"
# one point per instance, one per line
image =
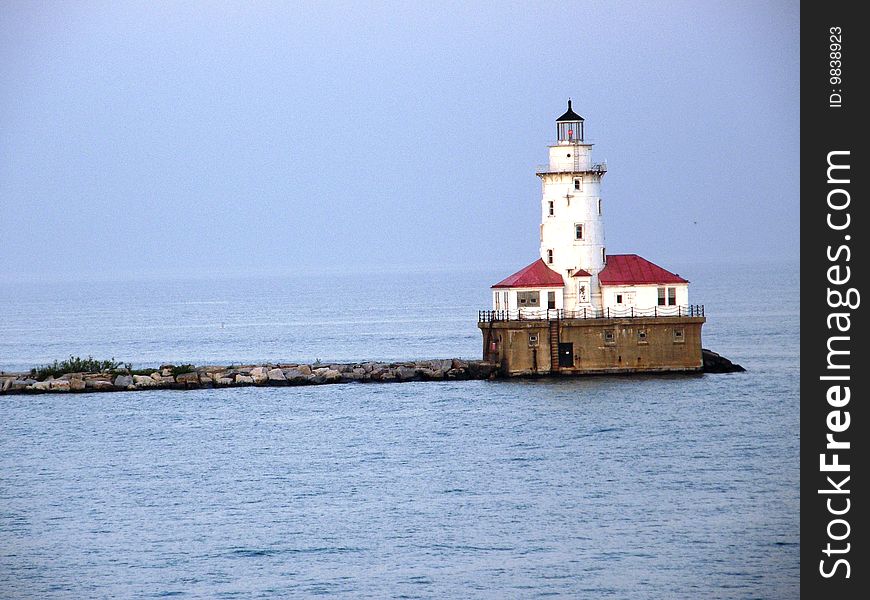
(594, 350)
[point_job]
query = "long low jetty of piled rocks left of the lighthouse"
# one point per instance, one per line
(173, 377)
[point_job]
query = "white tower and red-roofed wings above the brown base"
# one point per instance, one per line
(574, 274)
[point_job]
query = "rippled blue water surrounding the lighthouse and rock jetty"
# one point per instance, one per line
(623, 487)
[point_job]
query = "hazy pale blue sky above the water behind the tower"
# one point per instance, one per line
(187, 137)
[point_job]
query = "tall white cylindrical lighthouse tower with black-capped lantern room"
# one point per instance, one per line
(572, 226)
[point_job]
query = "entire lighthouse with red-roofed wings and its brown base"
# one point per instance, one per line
(577, 309)
